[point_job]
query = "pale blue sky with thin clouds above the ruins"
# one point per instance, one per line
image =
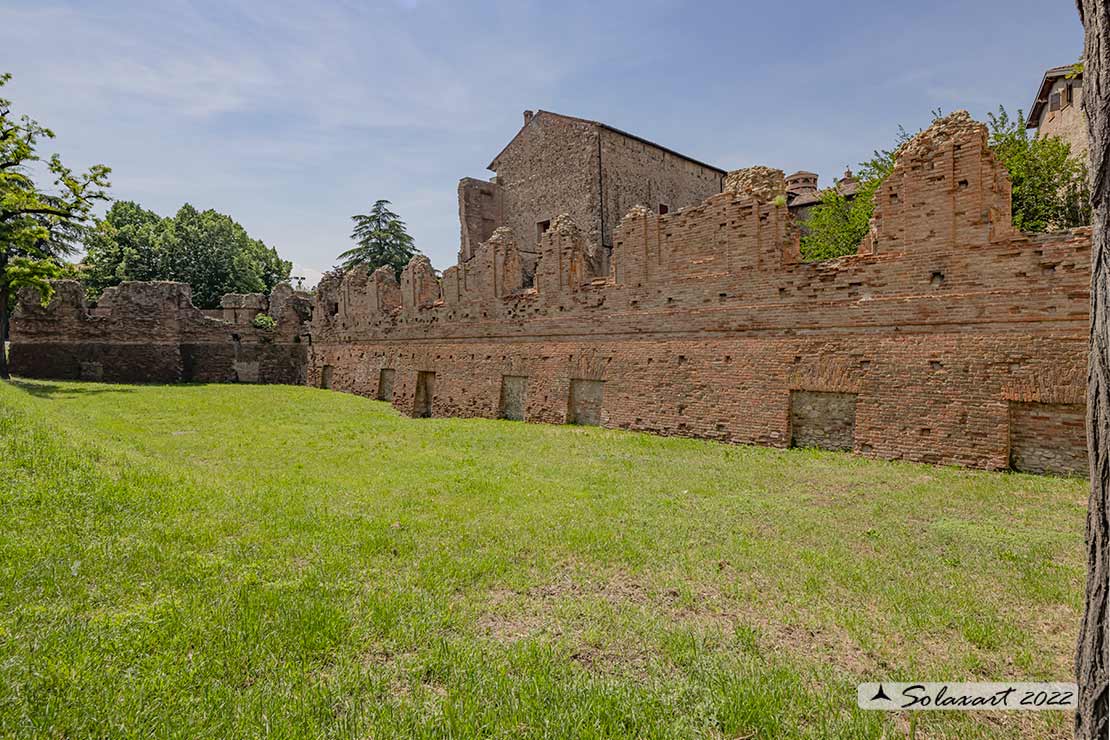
(294, 116)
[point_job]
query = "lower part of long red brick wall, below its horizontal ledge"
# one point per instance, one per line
(926, 398)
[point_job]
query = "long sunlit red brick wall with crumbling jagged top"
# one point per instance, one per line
(948, 339)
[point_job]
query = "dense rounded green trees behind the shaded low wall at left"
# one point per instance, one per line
(207, 250)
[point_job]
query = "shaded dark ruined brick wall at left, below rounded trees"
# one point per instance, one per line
(153, 333)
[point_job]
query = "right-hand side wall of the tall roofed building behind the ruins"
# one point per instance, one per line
(638, 174)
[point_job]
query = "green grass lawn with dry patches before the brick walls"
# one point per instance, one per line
(227, 562)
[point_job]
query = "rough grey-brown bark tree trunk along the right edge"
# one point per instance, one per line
(1092, 650)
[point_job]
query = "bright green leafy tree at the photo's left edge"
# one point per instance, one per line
(37, 227)
